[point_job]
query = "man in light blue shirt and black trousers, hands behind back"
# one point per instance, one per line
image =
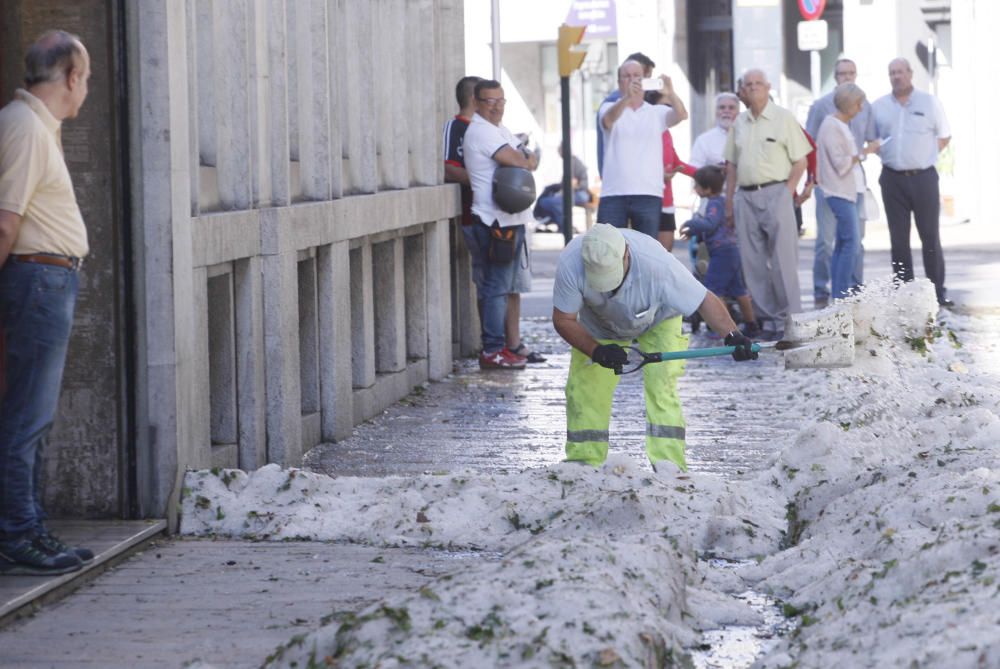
(913, 131)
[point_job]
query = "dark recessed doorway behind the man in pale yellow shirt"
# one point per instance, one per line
(87, 458)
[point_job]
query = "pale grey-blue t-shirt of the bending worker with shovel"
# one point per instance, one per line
(657, 287)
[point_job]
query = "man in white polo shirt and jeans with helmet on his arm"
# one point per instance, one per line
(488, 145)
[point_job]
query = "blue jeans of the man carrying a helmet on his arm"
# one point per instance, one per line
(494, 284)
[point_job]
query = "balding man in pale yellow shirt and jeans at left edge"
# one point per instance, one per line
(42, 242)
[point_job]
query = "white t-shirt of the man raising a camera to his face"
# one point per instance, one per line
(633, 150)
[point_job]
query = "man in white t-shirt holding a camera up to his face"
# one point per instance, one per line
(632, 188)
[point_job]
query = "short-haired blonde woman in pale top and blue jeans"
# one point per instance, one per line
(838, 171)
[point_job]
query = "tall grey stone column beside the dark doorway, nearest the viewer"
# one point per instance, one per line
(161, 185)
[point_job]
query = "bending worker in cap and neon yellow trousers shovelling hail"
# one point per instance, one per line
(612, 287)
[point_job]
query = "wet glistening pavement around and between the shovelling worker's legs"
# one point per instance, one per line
(509, 420)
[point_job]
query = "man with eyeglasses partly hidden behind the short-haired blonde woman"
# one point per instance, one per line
(862, 128)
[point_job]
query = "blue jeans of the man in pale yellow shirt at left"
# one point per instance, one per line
(36, 312)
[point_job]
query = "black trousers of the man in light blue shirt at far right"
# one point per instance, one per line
(904, 194)
